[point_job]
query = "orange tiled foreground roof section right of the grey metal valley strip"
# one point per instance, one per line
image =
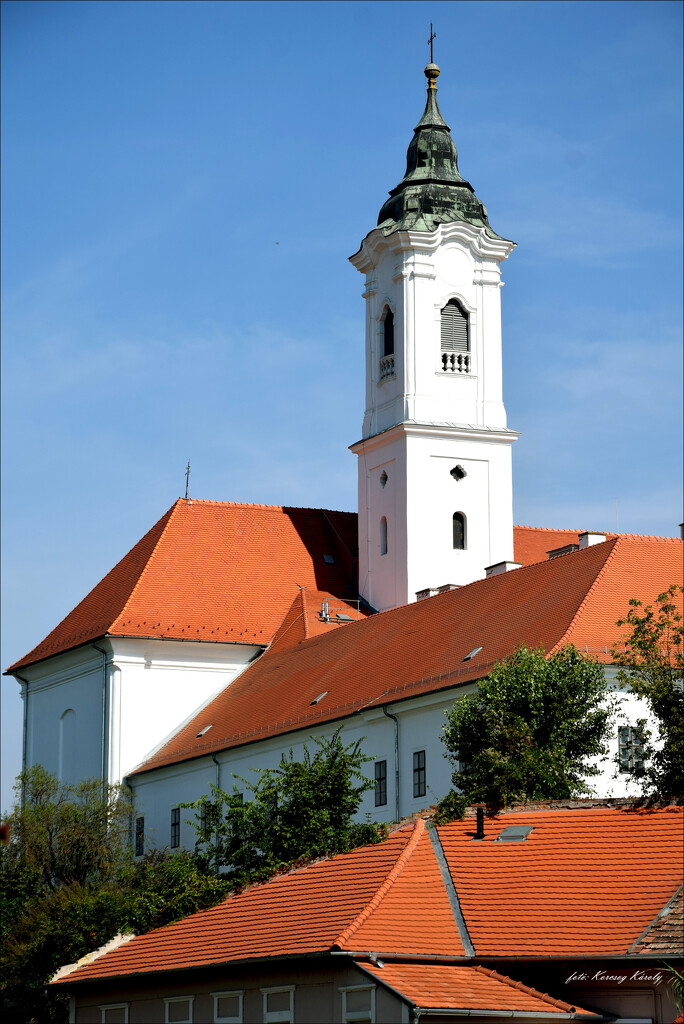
(583, 880)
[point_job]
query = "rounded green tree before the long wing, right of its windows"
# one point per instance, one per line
(531, 731)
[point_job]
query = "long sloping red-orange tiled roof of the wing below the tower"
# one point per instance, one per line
(422, 648)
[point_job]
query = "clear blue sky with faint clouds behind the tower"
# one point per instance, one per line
(182, 187)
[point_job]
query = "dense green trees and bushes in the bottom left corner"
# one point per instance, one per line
(68, 885)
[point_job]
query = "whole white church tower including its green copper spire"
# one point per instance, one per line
(436, 504)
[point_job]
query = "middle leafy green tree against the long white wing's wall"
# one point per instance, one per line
(301, 810)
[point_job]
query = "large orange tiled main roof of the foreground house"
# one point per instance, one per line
(584, 883)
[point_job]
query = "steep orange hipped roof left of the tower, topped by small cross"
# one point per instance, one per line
(213, 571)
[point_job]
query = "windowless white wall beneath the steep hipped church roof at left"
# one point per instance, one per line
(100, 713)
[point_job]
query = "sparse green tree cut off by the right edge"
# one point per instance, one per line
(653, 666)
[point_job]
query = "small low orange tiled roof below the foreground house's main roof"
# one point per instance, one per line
(437, 987)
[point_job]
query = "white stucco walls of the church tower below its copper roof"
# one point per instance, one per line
(421, 422)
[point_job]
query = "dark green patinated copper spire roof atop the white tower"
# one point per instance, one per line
(433, 191)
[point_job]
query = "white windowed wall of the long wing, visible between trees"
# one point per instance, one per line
(420, 722)
